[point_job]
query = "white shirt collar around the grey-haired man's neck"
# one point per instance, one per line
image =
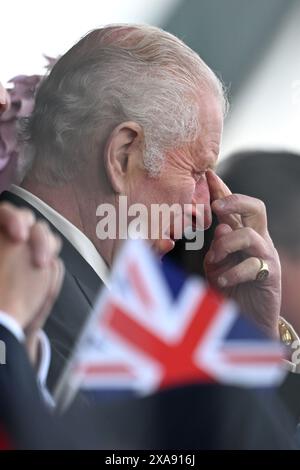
(81, 242)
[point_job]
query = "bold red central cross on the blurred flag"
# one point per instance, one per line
(176, 359)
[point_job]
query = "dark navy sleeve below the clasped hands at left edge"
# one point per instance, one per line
(23, 414)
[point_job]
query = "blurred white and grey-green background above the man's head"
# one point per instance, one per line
(253, 45)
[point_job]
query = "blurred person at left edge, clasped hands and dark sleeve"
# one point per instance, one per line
(31, 275)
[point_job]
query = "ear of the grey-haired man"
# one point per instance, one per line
(123, 147)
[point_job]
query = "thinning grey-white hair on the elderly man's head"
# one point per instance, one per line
(114, 74)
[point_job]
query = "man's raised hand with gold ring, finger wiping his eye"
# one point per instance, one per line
(232, 262)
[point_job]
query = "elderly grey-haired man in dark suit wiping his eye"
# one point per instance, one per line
(132, 111)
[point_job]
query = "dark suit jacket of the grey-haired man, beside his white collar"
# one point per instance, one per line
(80, 288)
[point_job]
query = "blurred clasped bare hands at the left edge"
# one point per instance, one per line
(31, 273)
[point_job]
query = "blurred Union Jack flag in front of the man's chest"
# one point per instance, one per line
(155, 328)
